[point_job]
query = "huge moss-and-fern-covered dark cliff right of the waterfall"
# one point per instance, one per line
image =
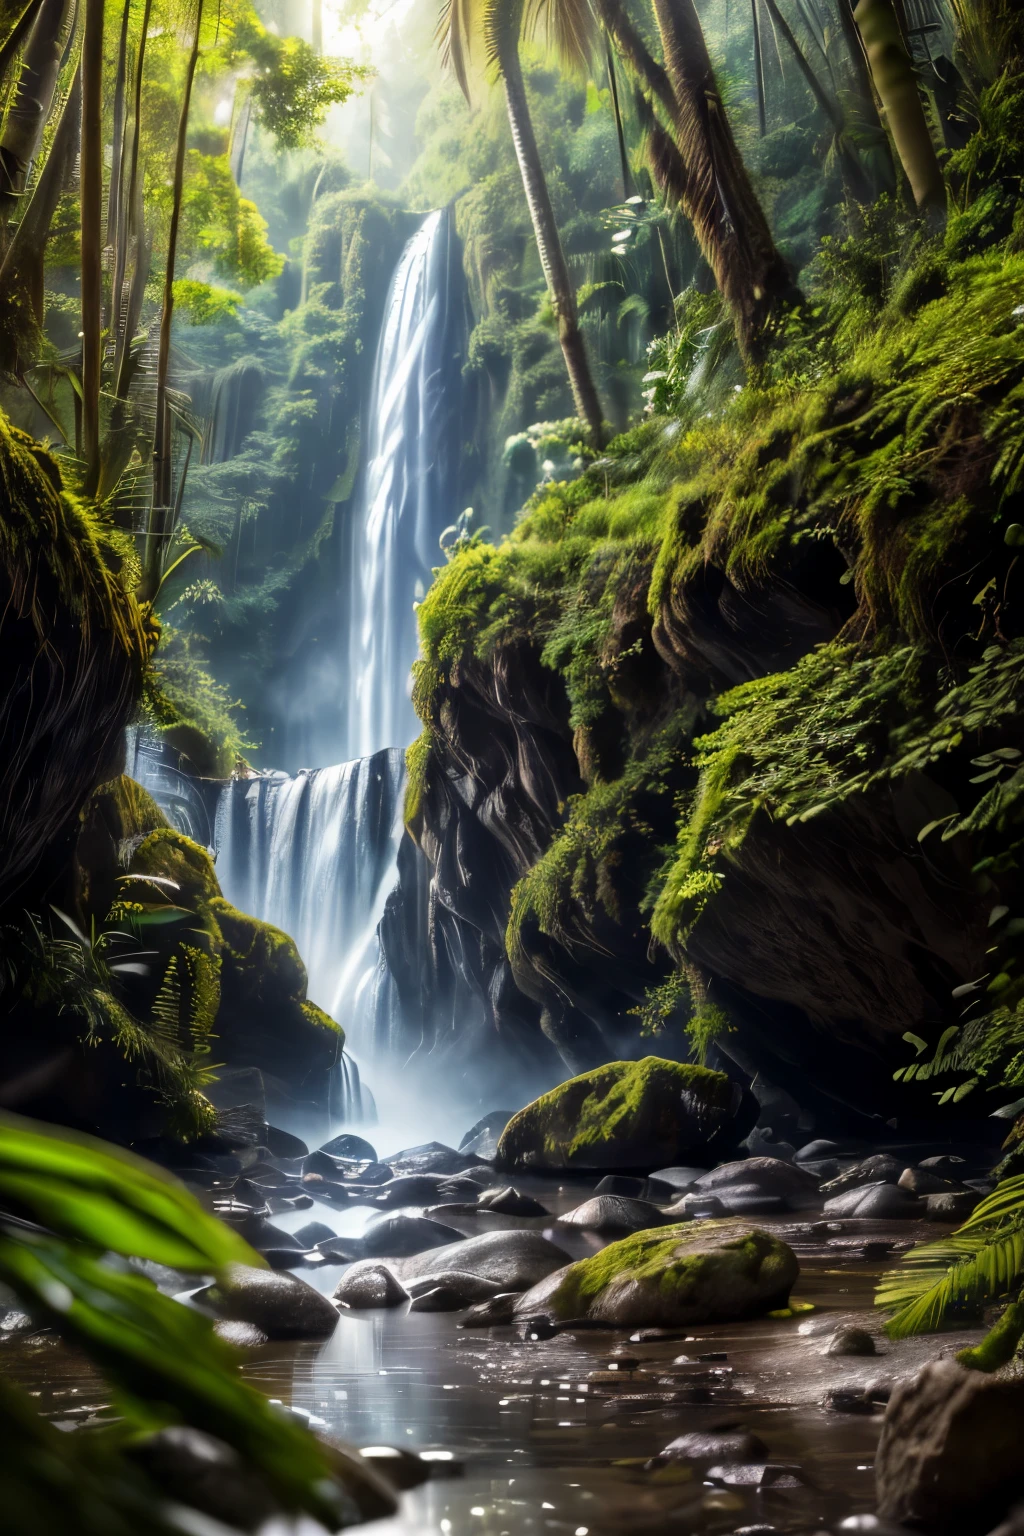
(724, 741)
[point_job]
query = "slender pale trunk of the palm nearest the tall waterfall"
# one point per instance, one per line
(546, 230)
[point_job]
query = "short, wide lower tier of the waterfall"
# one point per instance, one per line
(317, 856)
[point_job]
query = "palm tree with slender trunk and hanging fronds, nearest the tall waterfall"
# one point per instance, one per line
(503, 25)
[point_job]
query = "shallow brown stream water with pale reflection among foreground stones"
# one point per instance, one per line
(555, 1435)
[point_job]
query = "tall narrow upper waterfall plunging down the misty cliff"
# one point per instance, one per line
(411, 485)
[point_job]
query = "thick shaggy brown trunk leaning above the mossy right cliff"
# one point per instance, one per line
(721, 202)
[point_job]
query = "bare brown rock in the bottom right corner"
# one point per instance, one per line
(950, 1457)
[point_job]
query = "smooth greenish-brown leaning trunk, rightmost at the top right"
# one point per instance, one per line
(896, 81)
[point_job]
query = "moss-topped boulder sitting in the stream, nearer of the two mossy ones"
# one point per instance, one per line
(705, 1273)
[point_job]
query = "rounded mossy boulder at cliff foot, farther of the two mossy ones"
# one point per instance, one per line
(624, 1116)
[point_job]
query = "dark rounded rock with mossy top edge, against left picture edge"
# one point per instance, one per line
(74, 649)
